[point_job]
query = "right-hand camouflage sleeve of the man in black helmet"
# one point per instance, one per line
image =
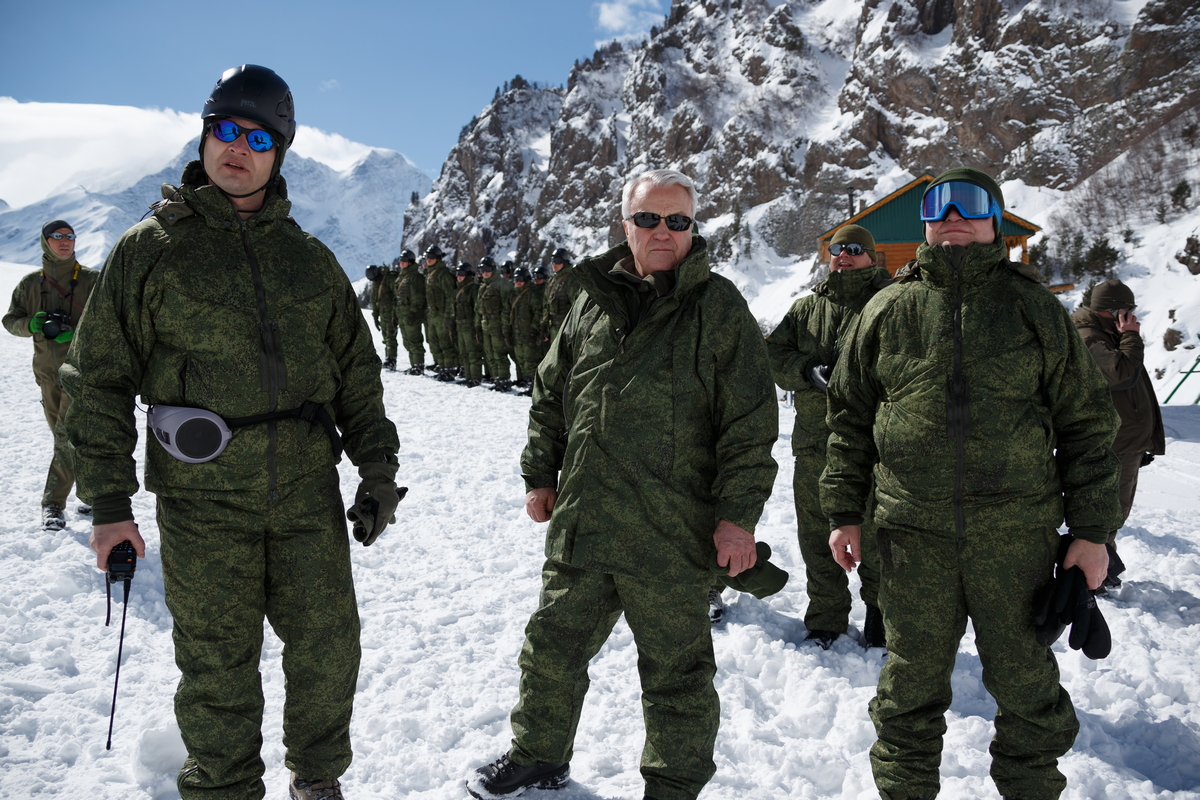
(368, 435)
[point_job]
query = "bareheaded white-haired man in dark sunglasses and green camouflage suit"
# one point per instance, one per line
(650, 455)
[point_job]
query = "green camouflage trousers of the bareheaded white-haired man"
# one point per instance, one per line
(675, 660)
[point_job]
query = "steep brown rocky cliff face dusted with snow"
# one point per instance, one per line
(779, 109)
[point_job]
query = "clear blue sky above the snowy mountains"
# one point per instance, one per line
(404, 75)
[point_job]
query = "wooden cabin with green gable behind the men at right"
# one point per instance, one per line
(898, 231)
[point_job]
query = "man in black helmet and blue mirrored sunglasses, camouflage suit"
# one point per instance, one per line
(220, 308)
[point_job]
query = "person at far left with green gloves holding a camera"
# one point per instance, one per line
(61, 288)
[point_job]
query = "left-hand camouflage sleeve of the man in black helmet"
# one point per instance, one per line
(104, 372)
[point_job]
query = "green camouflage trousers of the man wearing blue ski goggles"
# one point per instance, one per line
(931, 587)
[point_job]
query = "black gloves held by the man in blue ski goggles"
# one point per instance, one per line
(1066, 600)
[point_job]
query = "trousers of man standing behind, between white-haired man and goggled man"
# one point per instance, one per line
(829, 586)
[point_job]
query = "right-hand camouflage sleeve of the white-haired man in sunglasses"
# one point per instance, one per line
(746, 413)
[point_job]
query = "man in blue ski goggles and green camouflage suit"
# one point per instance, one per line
(968, 404)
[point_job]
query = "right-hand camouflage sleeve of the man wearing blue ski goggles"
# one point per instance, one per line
(1085, 425)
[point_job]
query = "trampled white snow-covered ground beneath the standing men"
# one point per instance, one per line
(445, 597)
